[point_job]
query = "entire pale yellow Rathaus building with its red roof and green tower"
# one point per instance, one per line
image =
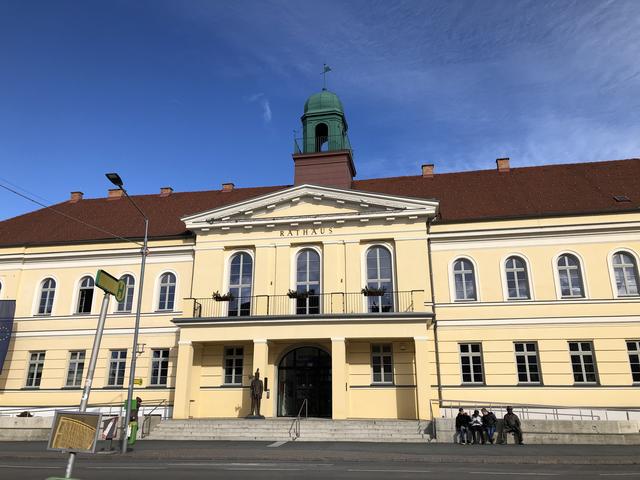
(387, 298)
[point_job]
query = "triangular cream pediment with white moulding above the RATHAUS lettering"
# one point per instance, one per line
(310, 204)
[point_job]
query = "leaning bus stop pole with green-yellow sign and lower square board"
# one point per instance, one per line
(111, 286)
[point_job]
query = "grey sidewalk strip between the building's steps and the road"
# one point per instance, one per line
(347, 451)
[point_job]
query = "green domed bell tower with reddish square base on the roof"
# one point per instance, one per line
(323, 155)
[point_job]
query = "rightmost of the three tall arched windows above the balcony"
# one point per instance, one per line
(379, 278)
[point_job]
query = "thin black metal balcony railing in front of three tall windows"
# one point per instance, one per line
(334, 303)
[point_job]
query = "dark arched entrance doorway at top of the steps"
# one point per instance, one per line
(305, 373)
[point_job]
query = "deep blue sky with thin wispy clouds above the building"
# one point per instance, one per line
(191, 94)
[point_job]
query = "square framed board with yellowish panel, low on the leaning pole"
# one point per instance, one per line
(74, 432)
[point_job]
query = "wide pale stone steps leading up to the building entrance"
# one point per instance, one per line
(280, 429)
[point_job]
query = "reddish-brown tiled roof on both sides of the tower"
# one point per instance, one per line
(568, 189)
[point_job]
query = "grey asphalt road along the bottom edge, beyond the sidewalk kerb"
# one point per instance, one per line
(160, 470)
